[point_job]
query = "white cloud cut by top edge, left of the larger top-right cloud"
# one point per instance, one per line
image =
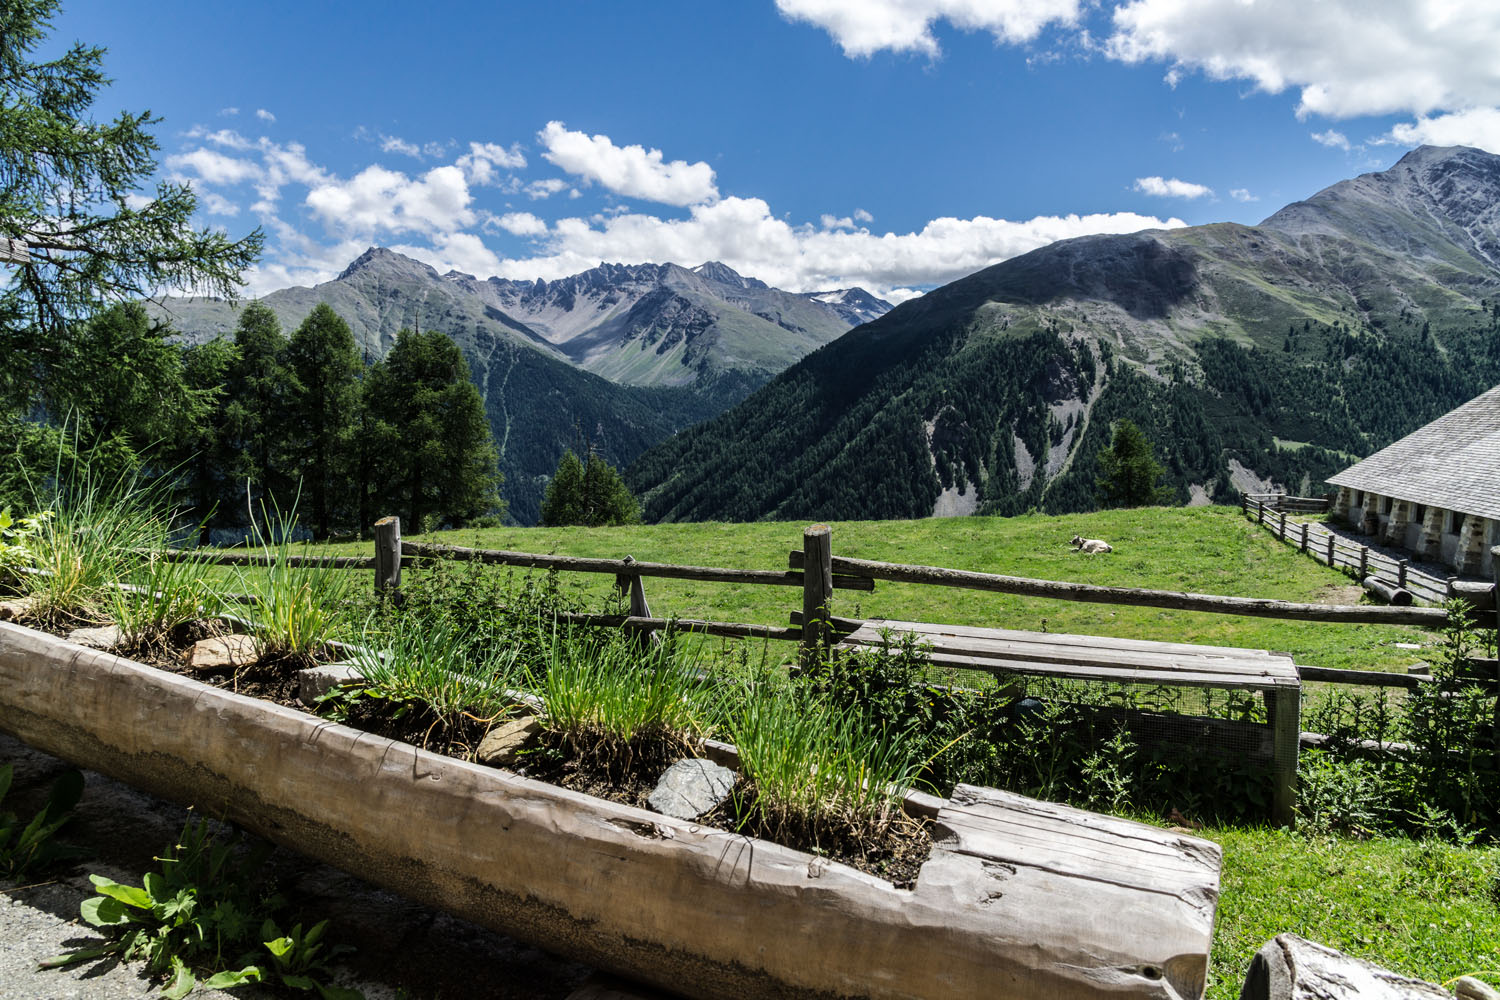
(865, 28)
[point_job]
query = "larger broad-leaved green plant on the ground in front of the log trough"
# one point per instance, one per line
(199, 921)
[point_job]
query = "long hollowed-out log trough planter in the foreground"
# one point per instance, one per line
(1019, 899)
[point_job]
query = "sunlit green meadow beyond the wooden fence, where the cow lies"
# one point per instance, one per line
(1204, 549)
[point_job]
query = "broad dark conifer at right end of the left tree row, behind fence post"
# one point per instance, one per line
(434, 460)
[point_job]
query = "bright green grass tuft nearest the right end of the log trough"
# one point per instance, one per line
(817, 771)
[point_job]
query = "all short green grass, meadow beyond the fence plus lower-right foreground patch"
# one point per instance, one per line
(1421, 909)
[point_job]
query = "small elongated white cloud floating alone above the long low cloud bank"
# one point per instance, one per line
(628, 170)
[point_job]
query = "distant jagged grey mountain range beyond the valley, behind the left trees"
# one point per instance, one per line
(617, 358)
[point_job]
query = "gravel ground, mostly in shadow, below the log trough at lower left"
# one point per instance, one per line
(404, 951)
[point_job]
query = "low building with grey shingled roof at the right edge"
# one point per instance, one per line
(1436, 493)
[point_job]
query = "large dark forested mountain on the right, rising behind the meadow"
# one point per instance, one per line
(1252, 356)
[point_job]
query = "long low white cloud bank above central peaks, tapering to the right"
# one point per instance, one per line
(745, 235)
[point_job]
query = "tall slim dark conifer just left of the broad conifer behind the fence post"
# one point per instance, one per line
(323, 413)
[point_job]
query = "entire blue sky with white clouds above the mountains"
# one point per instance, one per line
(895, 145)
